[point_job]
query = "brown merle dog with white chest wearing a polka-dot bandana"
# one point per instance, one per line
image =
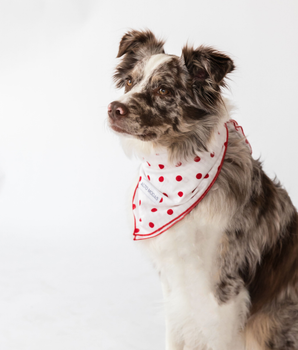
(222, 235)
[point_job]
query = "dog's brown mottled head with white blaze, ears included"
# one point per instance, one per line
(169, 101)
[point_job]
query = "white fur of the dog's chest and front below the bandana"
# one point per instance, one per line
(186, 257)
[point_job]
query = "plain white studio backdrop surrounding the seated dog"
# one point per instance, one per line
(70, 275)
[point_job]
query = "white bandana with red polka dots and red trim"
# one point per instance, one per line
(167, 192)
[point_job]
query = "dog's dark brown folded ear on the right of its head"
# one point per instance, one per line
(206, 63)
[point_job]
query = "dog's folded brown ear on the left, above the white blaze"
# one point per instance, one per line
(145, 41)
